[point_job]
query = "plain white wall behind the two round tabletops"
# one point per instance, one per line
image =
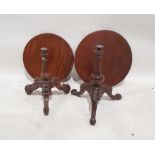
(17, 30)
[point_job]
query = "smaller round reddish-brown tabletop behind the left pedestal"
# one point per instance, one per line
(60, 56)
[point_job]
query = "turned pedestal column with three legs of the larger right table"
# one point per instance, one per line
(95, 87)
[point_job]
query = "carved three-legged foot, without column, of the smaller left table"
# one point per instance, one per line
(46, 83)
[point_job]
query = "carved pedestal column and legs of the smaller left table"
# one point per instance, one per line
(46, 81)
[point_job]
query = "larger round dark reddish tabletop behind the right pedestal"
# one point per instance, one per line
(116, 60)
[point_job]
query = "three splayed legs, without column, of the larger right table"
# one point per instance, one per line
(95, 91)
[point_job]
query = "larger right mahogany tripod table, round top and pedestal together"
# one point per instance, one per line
(102, 60)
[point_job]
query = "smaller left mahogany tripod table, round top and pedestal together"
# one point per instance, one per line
(49, 59)
